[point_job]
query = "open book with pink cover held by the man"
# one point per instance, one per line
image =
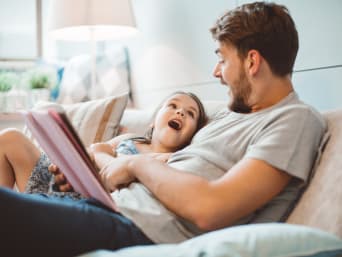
(59, 140)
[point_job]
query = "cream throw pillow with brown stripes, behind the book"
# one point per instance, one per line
(94, 121)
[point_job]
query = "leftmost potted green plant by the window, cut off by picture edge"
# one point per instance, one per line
(7, 81)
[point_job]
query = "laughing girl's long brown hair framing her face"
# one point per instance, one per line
(202, 117)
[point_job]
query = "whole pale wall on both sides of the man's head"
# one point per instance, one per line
(175, 50)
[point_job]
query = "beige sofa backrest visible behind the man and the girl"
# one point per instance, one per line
(319, 205)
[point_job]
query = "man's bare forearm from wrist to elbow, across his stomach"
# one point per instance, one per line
(182, 193)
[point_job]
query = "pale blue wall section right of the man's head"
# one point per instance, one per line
(320, 37)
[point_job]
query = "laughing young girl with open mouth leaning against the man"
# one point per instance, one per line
(175, 122)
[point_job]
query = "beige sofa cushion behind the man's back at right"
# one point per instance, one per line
(320, 205)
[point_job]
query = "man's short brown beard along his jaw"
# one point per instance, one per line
(240, 95)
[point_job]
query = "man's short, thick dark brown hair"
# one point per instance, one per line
(265, 27)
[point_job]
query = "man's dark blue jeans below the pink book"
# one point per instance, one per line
(38, 225)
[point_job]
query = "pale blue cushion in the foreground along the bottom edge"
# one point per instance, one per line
(258, 240)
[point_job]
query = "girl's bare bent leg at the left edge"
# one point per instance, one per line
(18, 157)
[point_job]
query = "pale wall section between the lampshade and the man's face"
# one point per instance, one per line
(175, 49)
